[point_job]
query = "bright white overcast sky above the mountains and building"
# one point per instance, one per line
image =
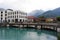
(30, 5)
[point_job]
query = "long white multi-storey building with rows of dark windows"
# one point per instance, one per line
(12, 16)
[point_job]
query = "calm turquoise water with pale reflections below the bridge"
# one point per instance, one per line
(26, 34)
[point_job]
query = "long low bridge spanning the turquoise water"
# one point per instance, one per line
(53, 26)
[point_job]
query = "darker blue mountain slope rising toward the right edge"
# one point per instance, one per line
(51, 13)
